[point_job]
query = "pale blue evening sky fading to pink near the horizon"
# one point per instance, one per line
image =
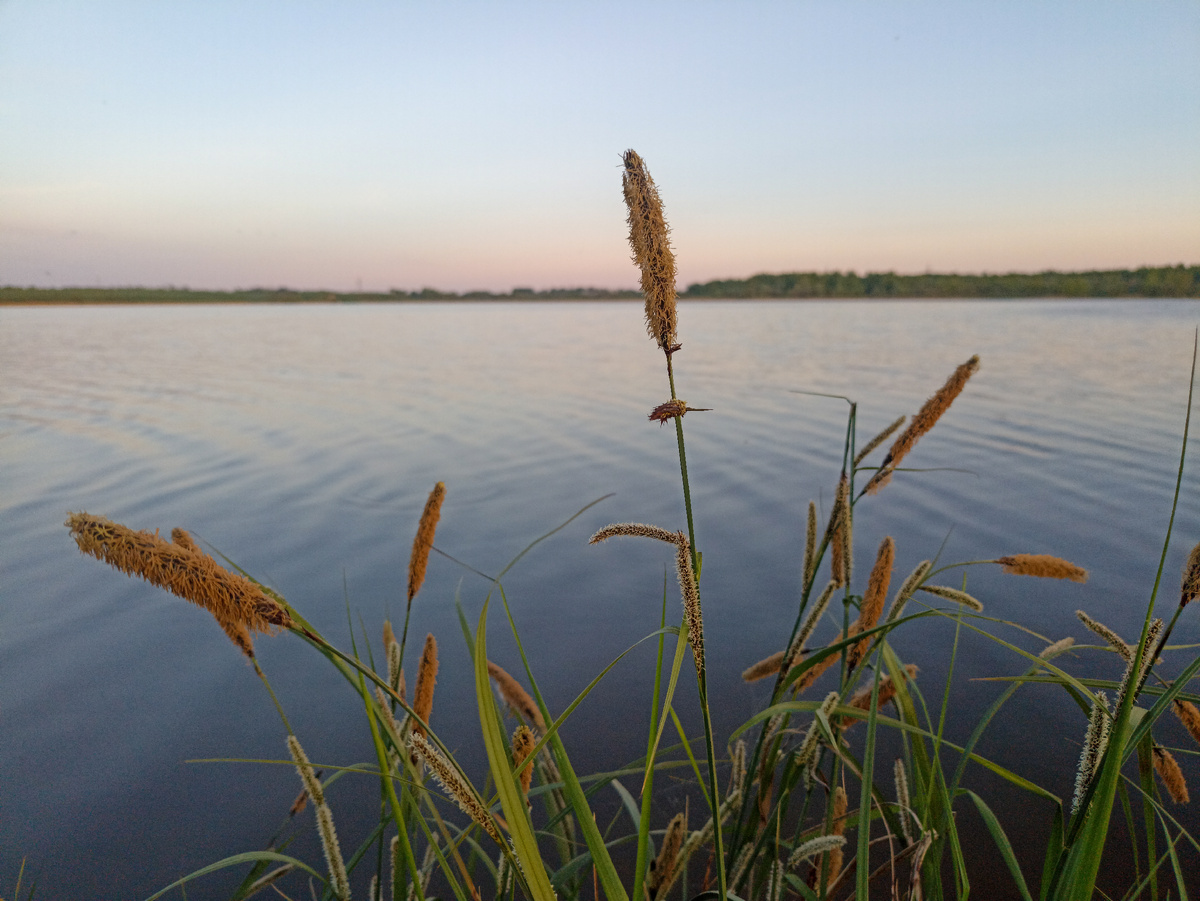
(477, 146)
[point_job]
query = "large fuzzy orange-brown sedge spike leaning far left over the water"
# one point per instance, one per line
(238, 605)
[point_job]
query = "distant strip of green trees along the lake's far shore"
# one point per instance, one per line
(1178, 281)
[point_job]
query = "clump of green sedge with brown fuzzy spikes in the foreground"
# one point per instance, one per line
(799, 802)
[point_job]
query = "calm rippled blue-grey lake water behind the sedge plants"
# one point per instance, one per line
(303, 442)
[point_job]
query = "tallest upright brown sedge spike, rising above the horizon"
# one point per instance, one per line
(651, 244)
